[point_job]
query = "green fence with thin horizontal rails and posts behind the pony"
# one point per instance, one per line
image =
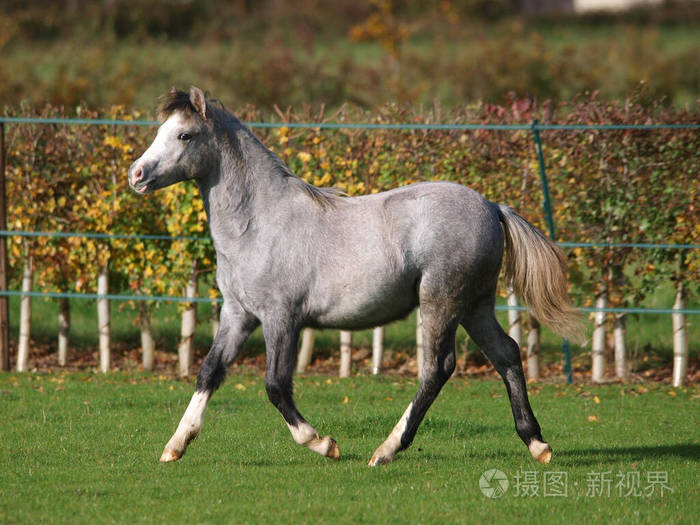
(535, 127)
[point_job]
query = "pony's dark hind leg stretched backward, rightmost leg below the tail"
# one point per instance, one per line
(504, 353)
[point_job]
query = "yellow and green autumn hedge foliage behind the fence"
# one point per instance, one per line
(606, 185)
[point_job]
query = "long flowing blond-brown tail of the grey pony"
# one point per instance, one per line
(536, 269)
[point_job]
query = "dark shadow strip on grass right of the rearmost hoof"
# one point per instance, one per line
(587, 456)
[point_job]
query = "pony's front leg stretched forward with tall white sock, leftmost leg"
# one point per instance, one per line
(234, 329)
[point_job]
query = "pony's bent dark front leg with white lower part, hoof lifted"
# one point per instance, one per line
(281, 363)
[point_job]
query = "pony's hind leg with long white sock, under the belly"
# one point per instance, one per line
(438, 365)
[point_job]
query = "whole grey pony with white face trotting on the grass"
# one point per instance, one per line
(290, 255)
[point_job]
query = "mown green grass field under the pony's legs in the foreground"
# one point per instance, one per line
(84, 448)
